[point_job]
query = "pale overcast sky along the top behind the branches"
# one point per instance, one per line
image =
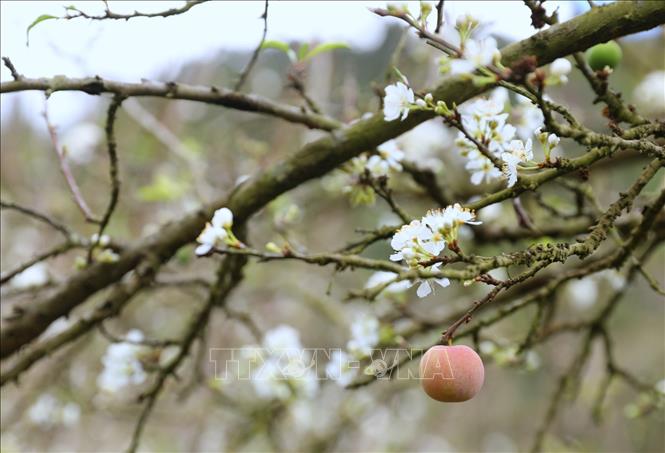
(129, 50)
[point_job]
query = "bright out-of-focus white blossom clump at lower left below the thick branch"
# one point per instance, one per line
(122, 364)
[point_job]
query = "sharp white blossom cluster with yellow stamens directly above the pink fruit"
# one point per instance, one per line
(421, 242)
